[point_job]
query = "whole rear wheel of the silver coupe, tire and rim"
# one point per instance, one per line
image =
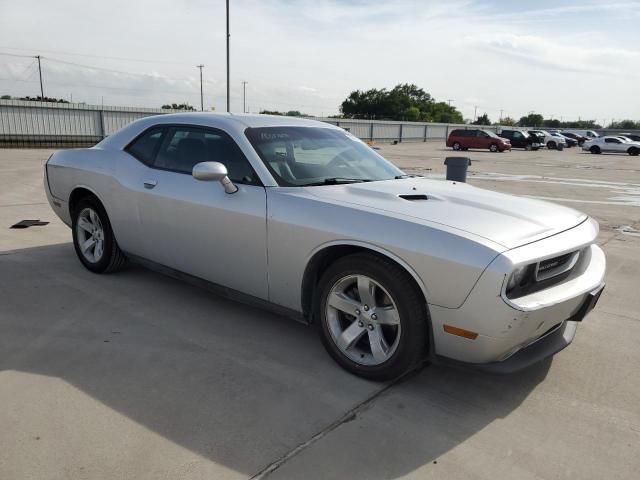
(93, 238)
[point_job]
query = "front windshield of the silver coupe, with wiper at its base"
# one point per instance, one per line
(305, 156)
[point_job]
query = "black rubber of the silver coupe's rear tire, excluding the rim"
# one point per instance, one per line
(112, 258)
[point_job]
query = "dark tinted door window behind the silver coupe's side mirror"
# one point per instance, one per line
(184, 147)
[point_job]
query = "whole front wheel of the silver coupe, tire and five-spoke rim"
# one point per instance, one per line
(372, 317)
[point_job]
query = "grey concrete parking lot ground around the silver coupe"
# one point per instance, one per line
(136, 375)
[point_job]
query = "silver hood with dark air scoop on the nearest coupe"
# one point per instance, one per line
(507, 220)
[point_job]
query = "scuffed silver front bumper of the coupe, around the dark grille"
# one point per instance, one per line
(505, 327)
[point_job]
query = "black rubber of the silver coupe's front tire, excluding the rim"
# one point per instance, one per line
(412, 343)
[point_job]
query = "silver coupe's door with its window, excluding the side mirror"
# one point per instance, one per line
(194, 226)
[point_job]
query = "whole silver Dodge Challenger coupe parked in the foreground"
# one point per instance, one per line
(304, 218)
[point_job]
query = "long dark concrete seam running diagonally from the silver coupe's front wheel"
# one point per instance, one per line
(349, 416)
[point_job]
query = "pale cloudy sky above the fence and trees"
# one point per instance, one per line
(565, 60)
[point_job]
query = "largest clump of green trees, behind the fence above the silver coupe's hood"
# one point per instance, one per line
(403, 102)
